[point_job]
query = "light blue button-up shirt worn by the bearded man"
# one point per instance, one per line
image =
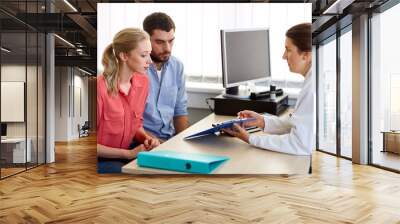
(167, 98)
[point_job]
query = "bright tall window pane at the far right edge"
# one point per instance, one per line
(385, 87)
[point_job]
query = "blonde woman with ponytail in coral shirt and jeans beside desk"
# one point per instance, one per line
(122, 91)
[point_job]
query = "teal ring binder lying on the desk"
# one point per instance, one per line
(179, 161)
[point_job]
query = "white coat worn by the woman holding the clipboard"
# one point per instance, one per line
(294, 134)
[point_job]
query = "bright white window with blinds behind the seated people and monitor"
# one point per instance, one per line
(198, 31)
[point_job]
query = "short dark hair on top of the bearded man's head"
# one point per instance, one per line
(158, 20)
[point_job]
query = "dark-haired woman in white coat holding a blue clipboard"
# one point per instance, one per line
(293, 134)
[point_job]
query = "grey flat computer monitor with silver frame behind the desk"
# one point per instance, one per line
(245, 57)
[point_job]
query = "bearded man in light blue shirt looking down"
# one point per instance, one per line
(166, 109)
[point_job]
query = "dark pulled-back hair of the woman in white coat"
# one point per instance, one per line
(300, 35)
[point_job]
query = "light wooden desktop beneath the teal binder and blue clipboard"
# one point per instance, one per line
(244, 158)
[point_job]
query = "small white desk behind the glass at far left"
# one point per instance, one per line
(16, 148)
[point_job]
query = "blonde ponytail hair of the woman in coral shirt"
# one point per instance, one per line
(124, 41)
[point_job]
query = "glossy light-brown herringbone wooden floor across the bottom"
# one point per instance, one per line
(70, 191)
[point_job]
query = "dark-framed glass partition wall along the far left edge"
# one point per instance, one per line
(22, 75)
